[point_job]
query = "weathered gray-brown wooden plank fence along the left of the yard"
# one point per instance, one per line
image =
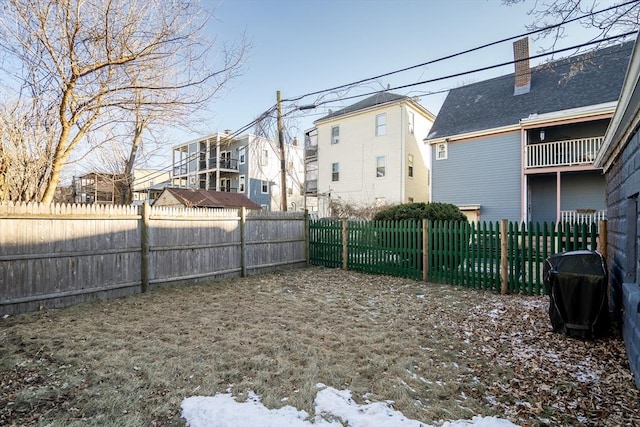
(58, 255)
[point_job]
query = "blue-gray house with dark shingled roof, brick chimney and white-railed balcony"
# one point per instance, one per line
(522, 146)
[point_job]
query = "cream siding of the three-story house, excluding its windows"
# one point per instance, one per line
(357, 151)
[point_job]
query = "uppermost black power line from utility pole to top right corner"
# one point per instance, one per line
(297, 98)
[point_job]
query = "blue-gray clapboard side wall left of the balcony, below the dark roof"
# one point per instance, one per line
(483, 171)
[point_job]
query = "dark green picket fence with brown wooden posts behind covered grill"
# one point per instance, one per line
(458, 253)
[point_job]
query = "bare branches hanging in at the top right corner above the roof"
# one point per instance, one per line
(548, 13)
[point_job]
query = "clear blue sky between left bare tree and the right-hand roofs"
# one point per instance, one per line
(303, 46)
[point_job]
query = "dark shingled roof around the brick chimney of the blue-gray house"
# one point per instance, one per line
(583, 80)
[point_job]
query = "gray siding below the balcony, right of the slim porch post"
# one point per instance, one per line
(583, 190)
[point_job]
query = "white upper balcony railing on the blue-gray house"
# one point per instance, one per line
(563, 153)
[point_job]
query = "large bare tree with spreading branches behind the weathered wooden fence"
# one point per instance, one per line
(94, 64)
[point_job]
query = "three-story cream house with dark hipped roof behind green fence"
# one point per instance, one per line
(367, 154)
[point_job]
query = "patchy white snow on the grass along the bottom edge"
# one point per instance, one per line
(333, 408)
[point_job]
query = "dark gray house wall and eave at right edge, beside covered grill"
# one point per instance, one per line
(619, 157)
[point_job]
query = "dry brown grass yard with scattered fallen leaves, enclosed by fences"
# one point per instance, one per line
(438, 352)
